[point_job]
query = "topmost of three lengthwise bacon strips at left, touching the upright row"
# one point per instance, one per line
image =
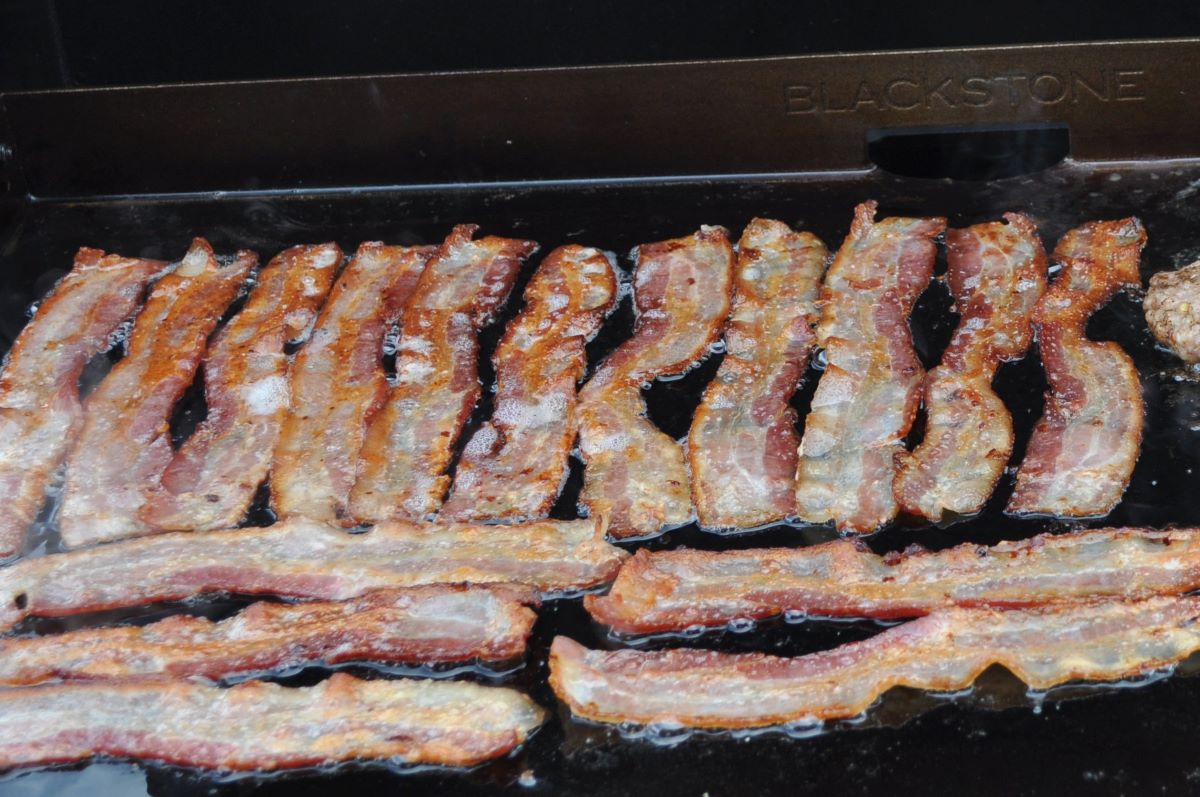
(302, 559)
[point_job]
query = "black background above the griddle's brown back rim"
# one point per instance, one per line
(47, 44)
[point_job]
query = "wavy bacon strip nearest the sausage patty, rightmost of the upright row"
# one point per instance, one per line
(1087, 444)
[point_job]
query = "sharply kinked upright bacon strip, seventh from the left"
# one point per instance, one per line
(637, 476)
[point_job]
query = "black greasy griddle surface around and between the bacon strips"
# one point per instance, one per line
(997, 740)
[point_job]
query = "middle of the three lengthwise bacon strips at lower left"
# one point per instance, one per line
(418, 626)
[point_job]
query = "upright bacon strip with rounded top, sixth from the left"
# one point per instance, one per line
(515, 465)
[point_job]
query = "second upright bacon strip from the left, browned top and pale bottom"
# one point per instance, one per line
(125, 442)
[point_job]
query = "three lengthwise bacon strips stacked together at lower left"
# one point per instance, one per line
(400, 595)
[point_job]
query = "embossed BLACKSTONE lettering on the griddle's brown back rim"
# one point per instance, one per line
(926, 92)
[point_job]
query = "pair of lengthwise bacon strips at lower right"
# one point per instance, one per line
(1095, 606)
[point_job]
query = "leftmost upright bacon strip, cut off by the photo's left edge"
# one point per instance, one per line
(40, 409)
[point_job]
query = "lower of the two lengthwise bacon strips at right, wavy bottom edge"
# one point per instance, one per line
(944, 652)
